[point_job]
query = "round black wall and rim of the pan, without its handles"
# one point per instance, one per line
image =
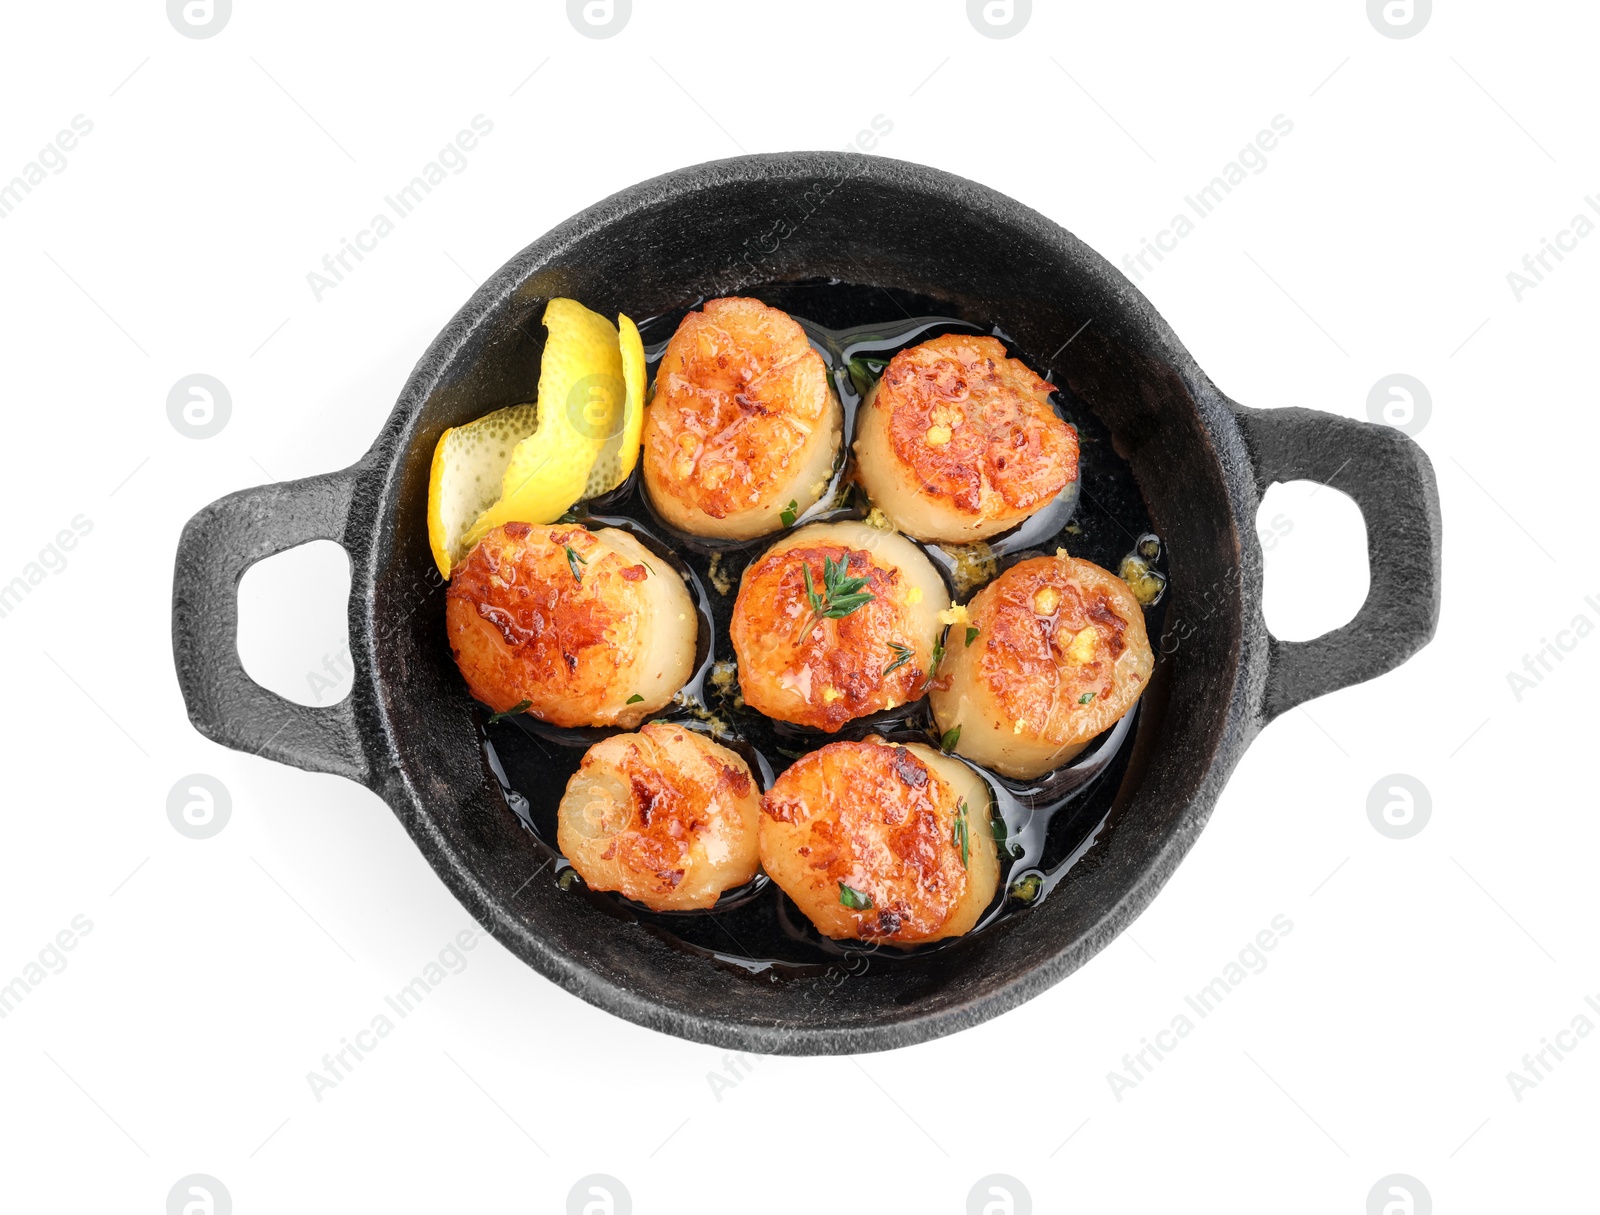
(802, 233)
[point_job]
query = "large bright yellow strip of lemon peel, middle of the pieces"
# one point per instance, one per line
(582, 411)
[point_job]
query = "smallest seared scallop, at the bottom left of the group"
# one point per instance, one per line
(665, 817)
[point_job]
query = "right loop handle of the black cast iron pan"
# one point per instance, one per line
(1393, 483)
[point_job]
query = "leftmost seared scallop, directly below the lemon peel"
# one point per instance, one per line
(580, 628)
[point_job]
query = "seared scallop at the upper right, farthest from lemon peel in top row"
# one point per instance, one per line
(958, 443)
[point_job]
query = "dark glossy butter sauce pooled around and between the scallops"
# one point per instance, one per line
(1049, 825)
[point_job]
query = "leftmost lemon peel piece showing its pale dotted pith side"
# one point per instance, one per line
(470, 465)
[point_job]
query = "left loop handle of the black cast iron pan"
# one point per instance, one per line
(226, 705)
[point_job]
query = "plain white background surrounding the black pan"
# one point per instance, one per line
(220, 972)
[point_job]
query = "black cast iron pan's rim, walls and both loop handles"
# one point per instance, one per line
(410, 732)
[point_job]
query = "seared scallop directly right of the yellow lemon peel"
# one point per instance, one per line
(745, 425)
